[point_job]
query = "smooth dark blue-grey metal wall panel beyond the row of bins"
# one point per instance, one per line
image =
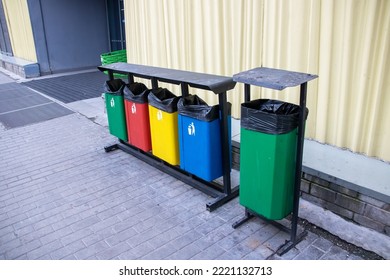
(69, 35)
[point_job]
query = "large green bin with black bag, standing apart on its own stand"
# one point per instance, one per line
(267, 157)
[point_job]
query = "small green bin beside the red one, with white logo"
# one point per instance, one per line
(115, 108)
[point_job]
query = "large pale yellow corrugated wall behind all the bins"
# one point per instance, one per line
(345, 42)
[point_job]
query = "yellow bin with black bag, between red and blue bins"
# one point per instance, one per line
(163, 125)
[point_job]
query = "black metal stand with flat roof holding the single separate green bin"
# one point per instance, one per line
(280, 79)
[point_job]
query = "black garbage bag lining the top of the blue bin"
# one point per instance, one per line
(195, 107)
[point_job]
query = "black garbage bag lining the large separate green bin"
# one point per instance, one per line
(270, 116)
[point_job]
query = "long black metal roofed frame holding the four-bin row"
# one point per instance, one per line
(218, 85)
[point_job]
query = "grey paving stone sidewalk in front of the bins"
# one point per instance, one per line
(63, 197)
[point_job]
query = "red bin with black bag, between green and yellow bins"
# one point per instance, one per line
(137, 116)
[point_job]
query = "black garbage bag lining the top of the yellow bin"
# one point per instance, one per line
(163, 99)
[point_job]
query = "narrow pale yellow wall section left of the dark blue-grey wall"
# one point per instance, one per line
(19, 27)
